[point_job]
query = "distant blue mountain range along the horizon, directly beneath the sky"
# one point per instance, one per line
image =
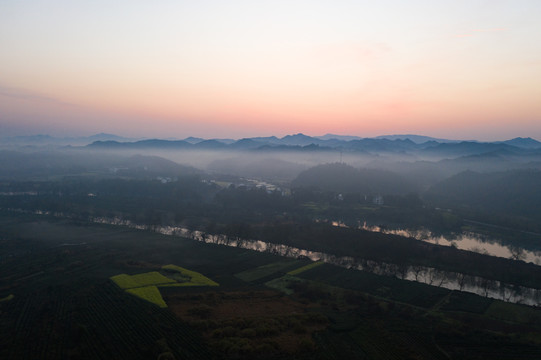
(385, 144)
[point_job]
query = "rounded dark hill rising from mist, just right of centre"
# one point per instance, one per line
(340, 177)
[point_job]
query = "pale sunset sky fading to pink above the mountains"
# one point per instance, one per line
(213, 68)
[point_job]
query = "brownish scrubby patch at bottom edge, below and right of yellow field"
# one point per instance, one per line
(250, 324)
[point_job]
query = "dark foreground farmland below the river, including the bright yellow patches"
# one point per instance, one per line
(59, 303)
